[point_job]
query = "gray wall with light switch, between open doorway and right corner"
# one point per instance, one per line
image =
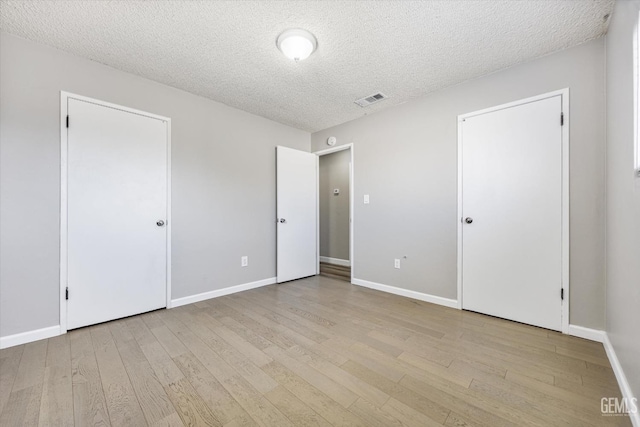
(406, 160)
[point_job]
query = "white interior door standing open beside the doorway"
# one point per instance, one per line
(297, 198)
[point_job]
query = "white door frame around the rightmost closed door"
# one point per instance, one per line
(564, 93)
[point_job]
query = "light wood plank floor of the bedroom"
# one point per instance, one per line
(315, 352)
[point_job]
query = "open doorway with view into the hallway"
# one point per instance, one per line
(335, 212)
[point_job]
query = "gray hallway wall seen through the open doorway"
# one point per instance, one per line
(334, 210)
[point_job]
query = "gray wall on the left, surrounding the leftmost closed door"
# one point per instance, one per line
(223, 180)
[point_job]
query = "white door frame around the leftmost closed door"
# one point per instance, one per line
(64, 152)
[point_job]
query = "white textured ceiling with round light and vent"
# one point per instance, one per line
(226, 50)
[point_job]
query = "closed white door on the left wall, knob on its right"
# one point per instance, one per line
(116, 210)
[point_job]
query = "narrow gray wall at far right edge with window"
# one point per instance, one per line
(623, 196)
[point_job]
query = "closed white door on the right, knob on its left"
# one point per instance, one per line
(512, 197)
